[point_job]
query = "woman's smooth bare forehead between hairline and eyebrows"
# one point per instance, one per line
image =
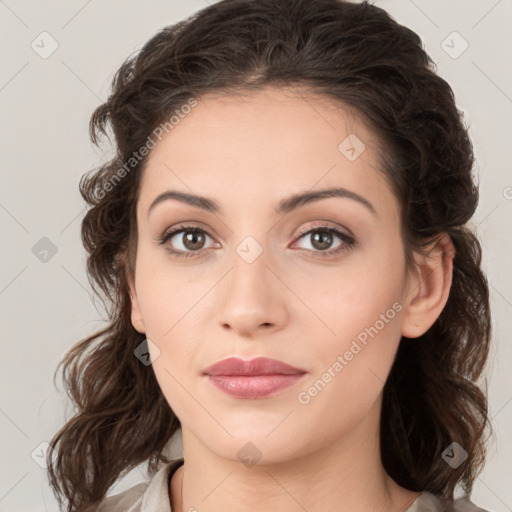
(266, 144)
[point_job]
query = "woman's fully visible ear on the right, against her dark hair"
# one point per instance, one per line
(429, 288)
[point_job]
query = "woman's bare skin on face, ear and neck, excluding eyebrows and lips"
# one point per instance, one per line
(291, 303)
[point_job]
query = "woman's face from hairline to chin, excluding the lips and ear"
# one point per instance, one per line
(263, 278)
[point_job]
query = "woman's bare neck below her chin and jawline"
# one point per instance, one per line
(346, 475)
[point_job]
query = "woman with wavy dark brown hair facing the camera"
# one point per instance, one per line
(283, 242)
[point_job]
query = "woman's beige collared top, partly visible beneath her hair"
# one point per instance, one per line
(153, 496)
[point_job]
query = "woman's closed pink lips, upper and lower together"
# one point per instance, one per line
(258, 378)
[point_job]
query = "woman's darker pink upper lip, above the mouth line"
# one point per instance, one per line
(257, 366)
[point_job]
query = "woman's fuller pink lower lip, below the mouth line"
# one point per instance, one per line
(255, 386)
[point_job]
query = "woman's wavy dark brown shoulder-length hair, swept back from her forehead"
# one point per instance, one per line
(356, 54)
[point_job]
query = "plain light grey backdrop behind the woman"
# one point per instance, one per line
(45, 108)
